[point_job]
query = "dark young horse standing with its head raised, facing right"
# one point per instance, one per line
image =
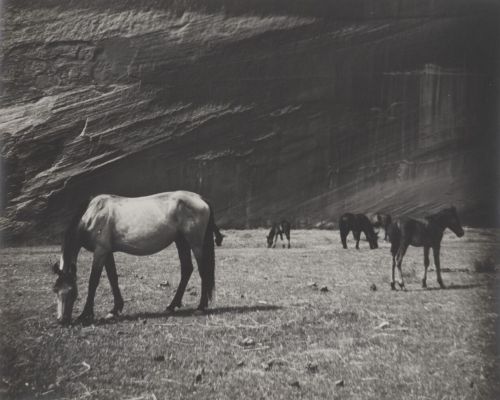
(426, 233)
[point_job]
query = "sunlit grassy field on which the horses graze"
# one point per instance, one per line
(271, 333)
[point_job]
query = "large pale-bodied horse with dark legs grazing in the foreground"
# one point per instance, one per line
(139, 226)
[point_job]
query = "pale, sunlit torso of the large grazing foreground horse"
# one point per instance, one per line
(145, 225)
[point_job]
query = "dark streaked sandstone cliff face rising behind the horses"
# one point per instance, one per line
(268, 108)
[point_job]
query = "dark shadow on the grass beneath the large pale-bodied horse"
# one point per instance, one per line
(188, 312)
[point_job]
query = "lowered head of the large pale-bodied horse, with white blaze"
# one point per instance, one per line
(66, 291)
